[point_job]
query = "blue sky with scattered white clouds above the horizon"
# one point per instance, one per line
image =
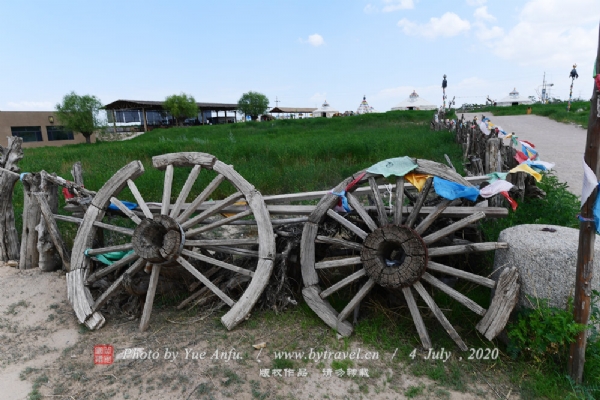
(297, 53)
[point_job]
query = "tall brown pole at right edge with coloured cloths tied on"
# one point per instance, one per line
(587, 236)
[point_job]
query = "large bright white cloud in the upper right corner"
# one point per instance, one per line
(548, 32)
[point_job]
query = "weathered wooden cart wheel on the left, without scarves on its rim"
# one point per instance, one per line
(174, 235)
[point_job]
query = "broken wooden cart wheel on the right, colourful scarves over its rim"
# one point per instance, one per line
(392, 247)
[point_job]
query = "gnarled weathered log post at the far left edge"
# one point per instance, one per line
(9, 175)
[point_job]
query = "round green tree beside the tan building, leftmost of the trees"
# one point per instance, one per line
(80, 114)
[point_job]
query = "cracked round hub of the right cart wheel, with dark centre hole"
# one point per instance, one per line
(394, 256)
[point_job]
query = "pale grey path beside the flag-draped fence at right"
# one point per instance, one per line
(557, 142)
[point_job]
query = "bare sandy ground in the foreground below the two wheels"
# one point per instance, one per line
(45, 353)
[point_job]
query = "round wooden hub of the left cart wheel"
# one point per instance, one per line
(159, 240)
